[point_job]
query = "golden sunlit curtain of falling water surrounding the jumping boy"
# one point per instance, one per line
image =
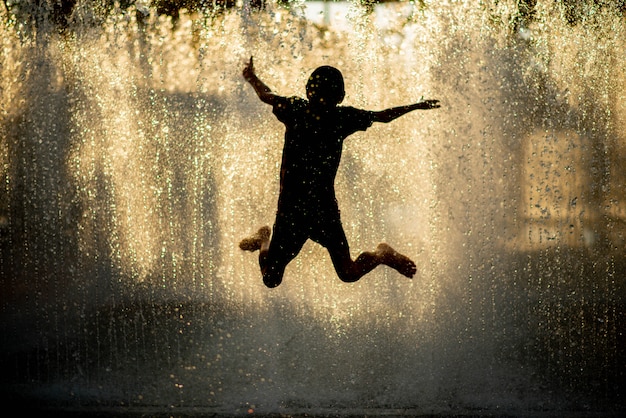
(134, 158)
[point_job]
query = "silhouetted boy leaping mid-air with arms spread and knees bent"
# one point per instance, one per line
(307, 207)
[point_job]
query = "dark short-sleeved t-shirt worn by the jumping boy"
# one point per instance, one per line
(313, 144)
